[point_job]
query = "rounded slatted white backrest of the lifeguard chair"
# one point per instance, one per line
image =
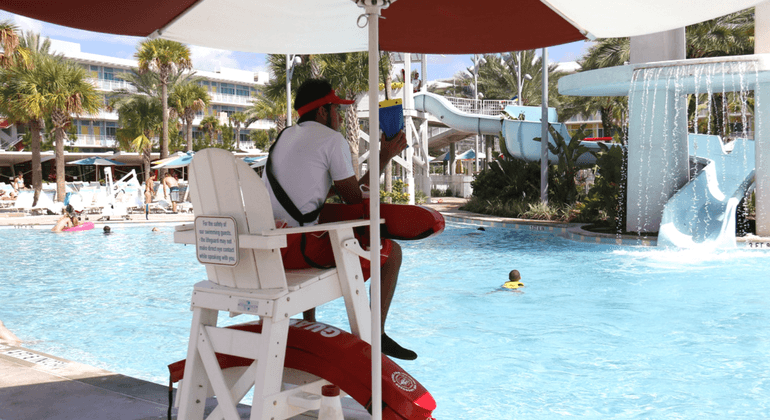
(222, 185)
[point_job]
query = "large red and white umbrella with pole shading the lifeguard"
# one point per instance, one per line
(418, 26)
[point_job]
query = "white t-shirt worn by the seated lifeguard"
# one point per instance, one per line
(306, 160)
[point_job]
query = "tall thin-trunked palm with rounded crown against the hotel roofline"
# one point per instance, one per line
(163, 57)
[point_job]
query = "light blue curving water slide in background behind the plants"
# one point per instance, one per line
(518, 134)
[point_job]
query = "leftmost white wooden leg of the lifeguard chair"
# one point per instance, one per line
(196, 382)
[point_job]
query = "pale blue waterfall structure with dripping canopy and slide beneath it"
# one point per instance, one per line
(661, 152)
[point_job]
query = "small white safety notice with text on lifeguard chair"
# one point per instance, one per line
(216, 240)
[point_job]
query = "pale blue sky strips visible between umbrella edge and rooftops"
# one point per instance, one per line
(207, 59)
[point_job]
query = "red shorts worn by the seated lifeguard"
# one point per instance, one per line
(318, 249)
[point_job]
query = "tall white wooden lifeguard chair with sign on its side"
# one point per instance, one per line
(246, 276)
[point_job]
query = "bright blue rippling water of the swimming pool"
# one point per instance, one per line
(598, 331)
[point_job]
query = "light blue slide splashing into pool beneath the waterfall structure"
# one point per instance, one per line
(703, 212)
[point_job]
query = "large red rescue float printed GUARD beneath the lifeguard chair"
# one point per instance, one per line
(344, 360)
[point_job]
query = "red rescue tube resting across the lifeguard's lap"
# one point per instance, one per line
(402, 221)
